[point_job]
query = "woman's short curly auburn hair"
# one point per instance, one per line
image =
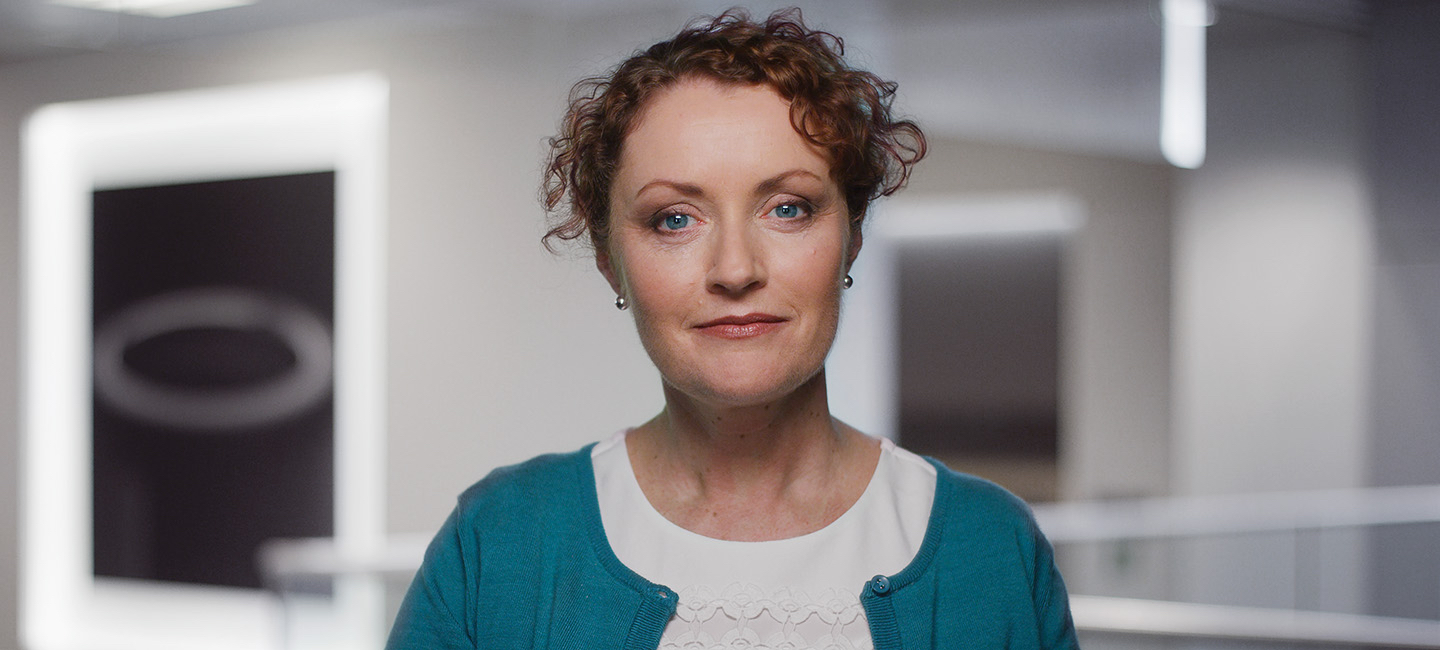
(842, 110)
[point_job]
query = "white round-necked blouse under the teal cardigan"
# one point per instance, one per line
(787, 593)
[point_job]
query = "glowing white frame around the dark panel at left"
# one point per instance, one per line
(70, 151)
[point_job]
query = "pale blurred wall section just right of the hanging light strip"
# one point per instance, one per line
(1272, 292)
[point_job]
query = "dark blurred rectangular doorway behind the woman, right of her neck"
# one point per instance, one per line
(980, 357)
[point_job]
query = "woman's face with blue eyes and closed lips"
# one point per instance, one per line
(729, 239)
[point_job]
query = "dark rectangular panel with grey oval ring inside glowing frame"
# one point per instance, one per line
(214, 410)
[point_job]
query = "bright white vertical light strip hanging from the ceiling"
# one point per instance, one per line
(1183, 99)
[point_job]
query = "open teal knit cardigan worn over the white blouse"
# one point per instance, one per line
(523, 563)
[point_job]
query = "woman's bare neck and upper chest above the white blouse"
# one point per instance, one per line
(752, 473)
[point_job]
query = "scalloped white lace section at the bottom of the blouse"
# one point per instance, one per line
(745, 616)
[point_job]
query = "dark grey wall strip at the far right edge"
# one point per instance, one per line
(1406, 414)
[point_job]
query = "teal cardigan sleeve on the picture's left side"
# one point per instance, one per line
(437, 607)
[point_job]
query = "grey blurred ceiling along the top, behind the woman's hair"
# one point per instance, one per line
(1079, 76)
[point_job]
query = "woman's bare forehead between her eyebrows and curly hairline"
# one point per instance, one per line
(699, 125)
